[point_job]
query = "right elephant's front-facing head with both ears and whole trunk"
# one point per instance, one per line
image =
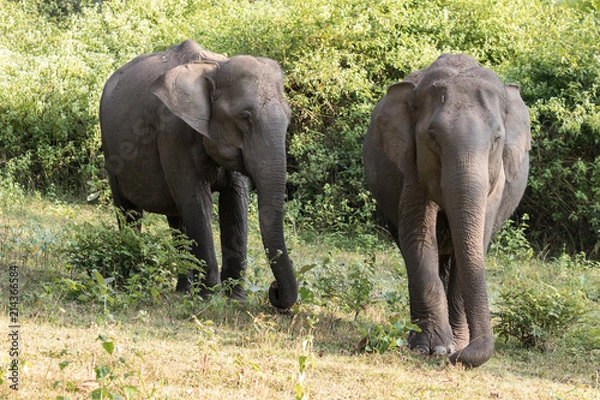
(462, 136)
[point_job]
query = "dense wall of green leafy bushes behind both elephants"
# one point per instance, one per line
(339, 56)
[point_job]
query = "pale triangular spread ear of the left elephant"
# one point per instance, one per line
(185, 90)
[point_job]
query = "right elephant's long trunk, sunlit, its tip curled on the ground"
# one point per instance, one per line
(465, 201)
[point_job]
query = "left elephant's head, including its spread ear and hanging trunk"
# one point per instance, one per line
(238, 105)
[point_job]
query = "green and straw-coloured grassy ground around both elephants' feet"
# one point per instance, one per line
(181, 347)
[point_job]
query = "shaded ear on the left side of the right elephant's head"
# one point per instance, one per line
(394, 127)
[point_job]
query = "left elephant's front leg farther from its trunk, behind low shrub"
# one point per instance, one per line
(195, 222)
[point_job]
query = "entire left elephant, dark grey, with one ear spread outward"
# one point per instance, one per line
(179, 125)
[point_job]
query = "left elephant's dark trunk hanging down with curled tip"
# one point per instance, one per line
(268, 171)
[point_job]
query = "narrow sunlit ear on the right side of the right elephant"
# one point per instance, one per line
(518, 132)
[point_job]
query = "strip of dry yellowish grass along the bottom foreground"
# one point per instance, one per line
(175, 361)
